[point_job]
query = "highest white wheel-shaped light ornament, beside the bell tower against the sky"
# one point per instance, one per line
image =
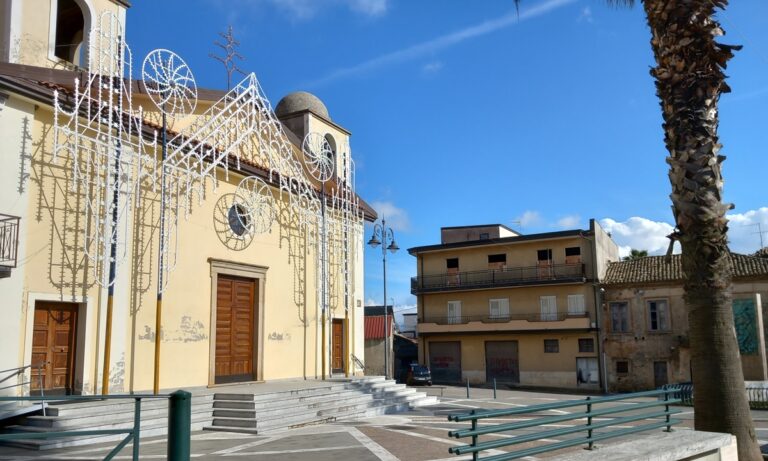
(169, 83)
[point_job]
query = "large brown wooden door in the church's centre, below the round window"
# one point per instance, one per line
(235, 298)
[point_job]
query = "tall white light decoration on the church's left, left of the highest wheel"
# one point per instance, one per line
(97, 130)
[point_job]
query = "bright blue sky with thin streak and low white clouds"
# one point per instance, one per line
(464, 112)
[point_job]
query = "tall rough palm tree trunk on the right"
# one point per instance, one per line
(689, 80)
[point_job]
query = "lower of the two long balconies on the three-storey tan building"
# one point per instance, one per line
(515, 322)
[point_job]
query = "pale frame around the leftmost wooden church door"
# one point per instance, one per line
(81, 332)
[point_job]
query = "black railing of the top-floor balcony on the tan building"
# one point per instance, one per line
(509, 276)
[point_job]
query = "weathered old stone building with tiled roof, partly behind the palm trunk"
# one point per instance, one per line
(646, 321)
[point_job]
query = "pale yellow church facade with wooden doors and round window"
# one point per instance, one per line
(239, 304)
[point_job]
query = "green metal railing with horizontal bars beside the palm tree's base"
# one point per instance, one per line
(590, 435)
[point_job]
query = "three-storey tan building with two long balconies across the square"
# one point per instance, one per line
(518, 309)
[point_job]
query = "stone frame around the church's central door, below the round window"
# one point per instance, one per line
(259, 275)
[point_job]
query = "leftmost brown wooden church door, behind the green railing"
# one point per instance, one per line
(53, 345)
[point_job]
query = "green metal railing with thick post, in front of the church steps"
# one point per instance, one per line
(179, 422)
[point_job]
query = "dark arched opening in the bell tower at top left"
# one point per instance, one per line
(71, 22)
